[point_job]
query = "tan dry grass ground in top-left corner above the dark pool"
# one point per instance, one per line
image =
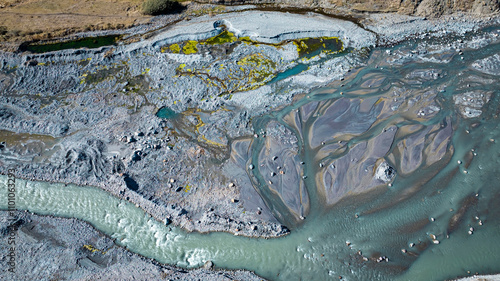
(24, 20)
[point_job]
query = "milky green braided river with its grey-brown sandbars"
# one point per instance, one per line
(392, 174)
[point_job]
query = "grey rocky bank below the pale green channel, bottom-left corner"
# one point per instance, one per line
(69, 249)
